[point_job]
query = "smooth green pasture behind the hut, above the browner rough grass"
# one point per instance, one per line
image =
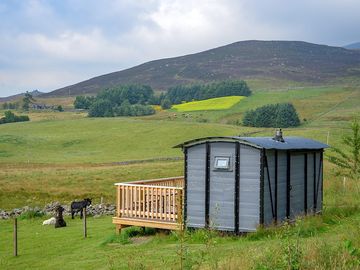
(98, 140)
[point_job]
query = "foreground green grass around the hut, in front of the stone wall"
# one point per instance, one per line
(320, 242)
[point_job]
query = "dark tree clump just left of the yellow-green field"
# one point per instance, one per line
(128, 100)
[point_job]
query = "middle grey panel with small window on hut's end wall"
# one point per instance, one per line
(222, 186)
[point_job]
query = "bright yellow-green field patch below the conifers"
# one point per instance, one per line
(221, 103)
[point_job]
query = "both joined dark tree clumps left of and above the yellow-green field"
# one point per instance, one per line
(134, 100)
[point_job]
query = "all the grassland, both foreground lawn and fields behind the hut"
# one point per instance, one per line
(66, 156)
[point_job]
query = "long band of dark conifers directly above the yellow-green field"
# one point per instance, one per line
(186, 93)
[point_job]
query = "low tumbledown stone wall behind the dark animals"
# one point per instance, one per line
(93, 210)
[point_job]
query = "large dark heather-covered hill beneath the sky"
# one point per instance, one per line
(284, 60)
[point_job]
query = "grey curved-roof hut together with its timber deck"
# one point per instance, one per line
(230, 184)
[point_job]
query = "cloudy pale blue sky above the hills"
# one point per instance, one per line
(50, 44)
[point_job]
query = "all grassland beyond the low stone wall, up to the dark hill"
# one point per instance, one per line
(62, 156)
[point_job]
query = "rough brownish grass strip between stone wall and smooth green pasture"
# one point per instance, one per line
(38, 184)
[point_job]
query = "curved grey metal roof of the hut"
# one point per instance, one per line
(295, 143)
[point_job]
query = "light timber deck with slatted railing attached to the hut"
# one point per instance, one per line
(156, 203)
